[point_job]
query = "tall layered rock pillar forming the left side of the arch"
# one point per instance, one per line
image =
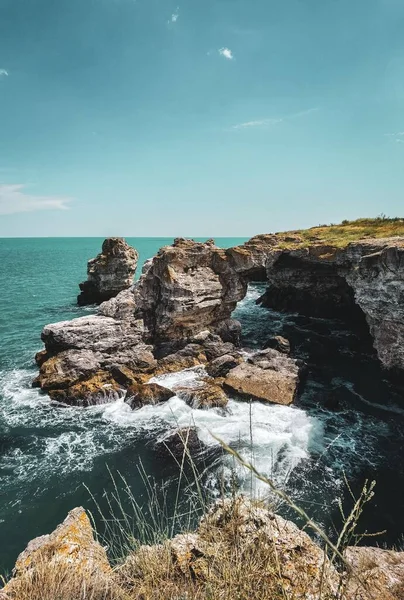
(190, 287)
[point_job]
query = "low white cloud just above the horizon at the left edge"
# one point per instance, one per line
(13, 199)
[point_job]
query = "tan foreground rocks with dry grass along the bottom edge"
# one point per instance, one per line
(236, 539)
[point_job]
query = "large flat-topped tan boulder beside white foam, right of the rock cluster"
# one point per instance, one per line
(270, 376)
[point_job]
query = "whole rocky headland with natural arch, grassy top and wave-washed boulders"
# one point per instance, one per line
(178, 315)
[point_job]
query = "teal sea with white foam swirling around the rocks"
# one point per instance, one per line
(345, 429)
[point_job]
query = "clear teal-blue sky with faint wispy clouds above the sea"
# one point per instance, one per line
(198, 117)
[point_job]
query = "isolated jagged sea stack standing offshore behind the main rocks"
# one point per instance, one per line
(109, 273)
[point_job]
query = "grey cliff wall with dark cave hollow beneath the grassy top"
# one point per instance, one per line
(364, 280)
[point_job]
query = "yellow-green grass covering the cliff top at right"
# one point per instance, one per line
(346, 232)
